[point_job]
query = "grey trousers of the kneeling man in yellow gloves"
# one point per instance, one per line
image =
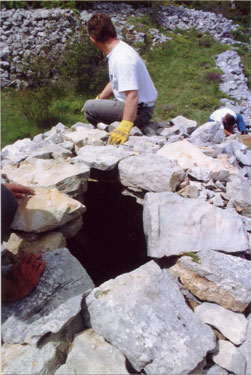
(108, 111)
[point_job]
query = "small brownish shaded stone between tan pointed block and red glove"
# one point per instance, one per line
(21, 243)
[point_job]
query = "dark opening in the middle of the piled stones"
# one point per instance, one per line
(112, 240)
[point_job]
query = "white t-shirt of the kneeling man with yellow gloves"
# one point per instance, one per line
(127, 71)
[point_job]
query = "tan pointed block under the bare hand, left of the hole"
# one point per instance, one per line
(46, 210)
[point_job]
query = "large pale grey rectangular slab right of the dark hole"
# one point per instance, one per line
(174, 225)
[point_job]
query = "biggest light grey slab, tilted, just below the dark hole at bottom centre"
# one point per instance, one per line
(144, 315)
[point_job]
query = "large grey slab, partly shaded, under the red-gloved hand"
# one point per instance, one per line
(54, 303)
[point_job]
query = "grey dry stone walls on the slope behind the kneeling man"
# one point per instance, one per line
(38, 32)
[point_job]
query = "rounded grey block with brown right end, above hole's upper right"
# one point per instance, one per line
(151, 173)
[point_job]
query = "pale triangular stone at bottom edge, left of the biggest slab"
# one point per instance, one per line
(91, 354)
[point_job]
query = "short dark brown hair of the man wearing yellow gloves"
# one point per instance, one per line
(101, 28)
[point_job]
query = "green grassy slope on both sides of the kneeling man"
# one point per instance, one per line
(179, 69)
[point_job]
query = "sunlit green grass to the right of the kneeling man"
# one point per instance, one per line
(179, 69)
